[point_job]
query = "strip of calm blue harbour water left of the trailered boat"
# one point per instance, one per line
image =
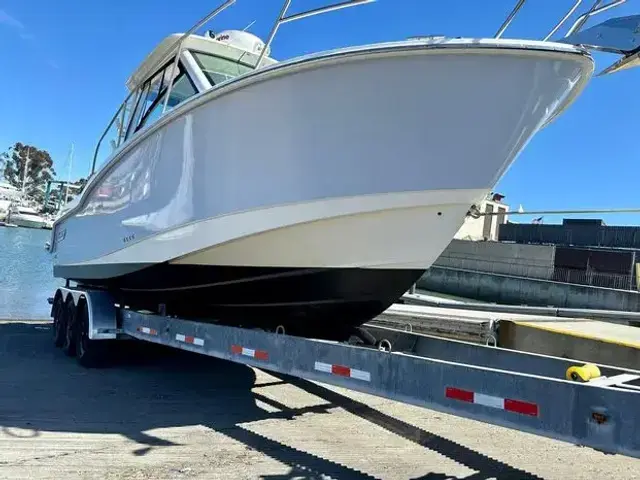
(26, 273)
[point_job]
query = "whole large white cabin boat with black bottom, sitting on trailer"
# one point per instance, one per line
(307, 193)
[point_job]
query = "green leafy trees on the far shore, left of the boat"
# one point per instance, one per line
(39, 171)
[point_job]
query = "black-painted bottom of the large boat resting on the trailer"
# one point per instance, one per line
(314, 300)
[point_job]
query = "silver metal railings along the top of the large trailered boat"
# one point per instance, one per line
(175, 51)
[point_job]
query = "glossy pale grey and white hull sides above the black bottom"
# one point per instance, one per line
(366, 160)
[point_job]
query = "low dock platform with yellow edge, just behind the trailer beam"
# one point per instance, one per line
(589, 340)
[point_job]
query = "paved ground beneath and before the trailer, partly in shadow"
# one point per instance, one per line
(181, 416)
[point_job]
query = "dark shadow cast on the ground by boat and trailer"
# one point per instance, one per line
(153, 387)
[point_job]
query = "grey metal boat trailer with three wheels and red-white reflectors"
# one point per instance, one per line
(523, 391)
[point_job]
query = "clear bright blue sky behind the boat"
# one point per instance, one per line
(64, 65)
